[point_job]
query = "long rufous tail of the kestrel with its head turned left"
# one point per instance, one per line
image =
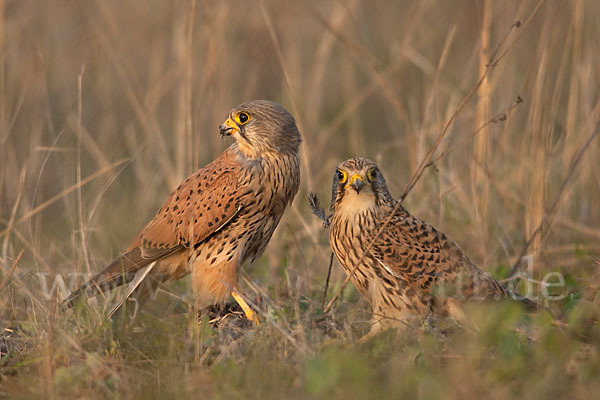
(121, 271)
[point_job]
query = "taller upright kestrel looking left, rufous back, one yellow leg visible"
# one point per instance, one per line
(220, 217)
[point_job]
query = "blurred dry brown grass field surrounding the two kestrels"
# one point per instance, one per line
(130, 93)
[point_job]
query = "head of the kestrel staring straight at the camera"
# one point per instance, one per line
(358, 185)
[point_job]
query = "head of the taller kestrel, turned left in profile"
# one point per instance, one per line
(261, 127)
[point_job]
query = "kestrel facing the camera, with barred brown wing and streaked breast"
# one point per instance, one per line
(412, 269)
